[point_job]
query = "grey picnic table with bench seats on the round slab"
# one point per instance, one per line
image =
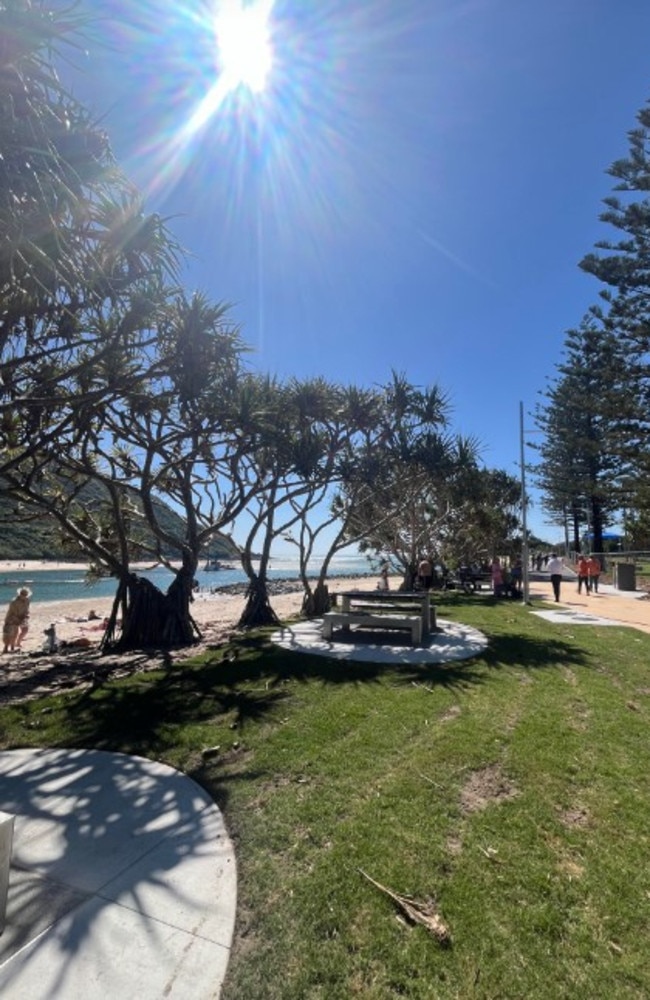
(383, 610)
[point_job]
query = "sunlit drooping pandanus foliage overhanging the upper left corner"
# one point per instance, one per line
(82, 267)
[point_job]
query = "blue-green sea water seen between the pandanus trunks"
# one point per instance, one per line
(70, 584)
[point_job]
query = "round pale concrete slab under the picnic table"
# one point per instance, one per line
(452, 641)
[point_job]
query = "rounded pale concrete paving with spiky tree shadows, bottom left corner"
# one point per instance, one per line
(123, 883)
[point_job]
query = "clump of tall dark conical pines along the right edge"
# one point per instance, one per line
(597, 457)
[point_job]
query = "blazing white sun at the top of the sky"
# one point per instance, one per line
(244, 43)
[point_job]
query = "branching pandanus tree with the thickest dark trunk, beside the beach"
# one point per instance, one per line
(179, 439)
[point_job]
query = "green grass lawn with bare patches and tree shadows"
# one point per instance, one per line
(512, 789)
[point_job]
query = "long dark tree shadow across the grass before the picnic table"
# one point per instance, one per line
(248, 680)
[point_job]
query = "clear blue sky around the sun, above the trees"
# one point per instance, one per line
(413, 189)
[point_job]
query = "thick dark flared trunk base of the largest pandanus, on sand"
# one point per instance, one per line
(151, 619)
